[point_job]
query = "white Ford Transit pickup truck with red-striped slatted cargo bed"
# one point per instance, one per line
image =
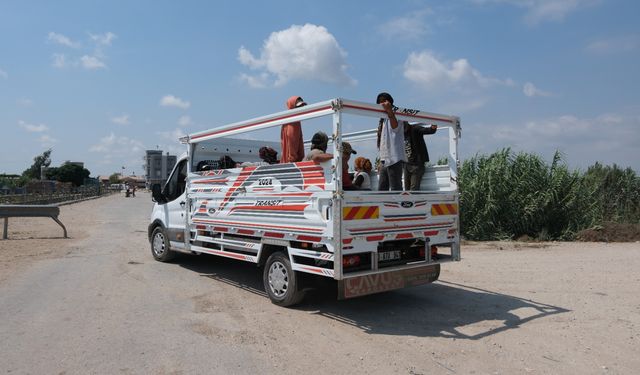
(295, 220)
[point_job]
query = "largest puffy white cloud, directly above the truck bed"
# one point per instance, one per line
(307, 52)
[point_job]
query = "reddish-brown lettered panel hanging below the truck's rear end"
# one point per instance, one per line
(381, 282)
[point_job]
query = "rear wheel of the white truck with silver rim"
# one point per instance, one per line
(280, 281)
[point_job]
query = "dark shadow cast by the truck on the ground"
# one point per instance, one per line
(442, 309)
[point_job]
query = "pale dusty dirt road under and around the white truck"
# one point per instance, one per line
(99, 303)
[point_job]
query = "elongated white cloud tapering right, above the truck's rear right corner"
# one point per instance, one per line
(424, 68)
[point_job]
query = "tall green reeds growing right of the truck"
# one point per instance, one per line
(506, 195)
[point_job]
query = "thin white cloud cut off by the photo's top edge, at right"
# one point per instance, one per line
(538, 11)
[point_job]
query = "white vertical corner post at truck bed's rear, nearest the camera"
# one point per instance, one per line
(338, 193)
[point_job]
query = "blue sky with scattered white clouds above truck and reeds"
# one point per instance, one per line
(102, 81)
